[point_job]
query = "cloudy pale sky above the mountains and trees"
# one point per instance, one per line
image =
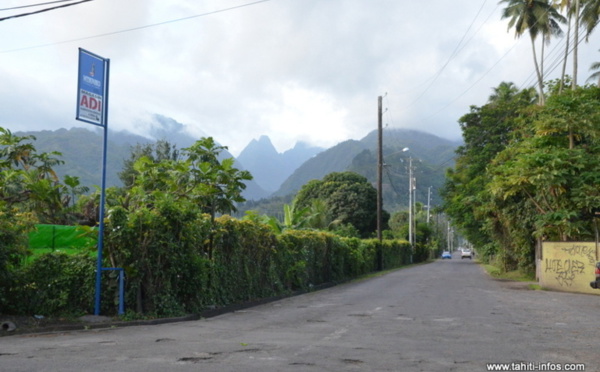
(295, 70)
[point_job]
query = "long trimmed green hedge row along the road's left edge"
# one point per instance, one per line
(194, 267)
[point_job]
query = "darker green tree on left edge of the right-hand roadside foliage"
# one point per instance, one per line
(487, 130)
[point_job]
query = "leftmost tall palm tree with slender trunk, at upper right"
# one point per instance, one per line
(538, 17)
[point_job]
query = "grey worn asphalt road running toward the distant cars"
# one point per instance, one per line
(444, 316)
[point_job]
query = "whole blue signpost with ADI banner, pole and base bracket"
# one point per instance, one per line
(92, 108)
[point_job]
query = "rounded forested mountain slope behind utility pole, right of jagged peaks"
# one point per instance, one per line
(431, 156)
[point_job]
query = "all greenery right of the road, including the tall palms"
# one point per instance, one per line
(529, 168)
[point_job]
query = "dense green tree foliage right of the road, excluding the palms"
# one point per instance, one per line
(527, 172)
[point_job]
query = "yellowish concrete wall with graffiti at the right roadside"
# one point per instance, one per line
(568, 266)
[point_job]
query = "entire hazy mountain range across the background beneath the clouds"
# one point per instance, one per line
(275, 174)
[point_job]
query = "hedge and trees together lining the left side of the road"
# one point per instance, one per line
(171, 231)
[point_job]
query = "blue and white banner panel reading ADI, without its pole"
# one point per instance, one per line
(92, 88)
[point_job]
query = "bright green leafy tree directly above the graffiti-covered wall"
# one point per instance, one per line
(555, 167)
